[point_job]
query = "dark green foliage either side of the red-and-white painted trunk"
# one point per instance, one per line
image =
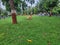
(16, 3)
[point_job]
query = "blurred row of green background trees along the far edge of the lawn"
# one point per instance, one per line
(42, 5)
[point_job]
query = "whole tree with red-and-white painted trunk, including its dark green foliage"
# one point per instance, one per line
(13, 6)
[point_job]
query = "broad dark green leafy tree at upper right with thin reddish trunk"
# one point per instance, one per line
(47, 5)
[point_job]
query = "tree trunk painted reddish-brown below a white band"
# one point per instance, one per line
(13, 12)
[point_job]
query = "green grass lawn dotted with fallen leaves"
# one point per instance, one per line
(41, 30)
